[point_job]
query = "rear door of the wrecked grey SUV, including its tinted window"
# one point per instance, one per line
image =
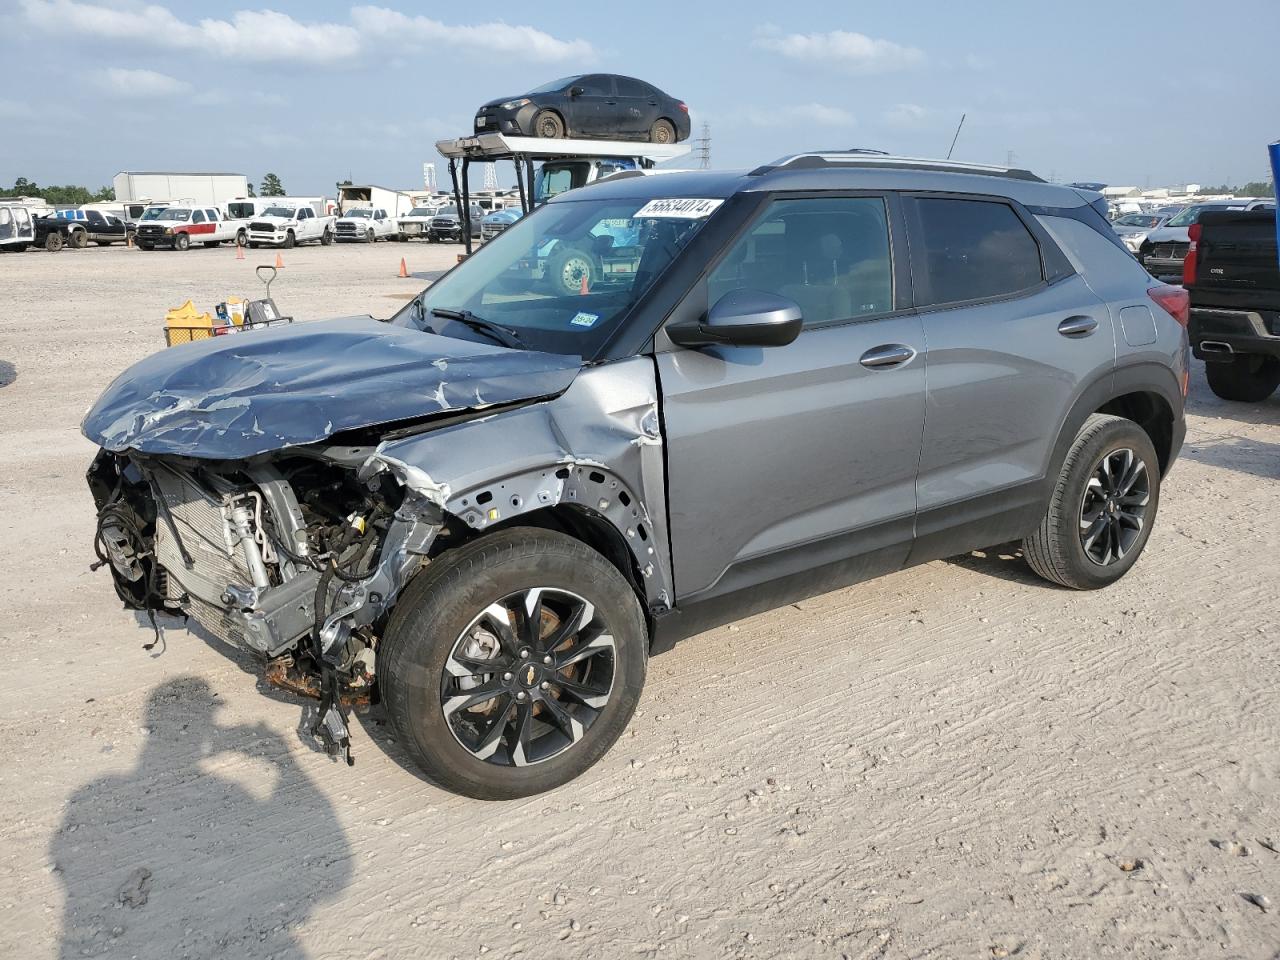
(1014, 335)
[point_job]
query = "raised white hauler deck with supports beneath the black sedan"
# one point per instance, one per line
(525, 152)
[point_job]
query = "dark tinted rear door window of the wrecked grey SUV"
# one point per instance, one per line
(966, 250)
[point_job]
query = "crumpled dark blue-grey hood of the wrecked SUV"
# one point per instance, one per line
(249, 394)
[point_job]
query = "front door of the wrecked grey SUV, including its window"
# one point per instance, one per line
(784, 460)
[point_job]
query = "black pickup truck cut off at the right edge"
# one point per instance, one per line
(1233, 276)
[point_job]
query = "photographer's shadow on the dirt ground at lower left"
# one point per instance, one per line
(214, 844)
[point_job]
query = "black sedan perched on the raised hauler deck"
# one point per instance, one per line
(597, 106)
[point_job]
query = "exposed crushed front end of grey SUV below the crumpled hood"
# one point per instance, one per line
(296, 557)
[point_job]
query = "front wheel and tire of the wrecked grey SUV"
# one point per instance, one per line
(447, 602)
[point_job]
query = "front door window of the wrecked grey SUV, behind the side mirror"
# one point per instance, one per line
(831, 255)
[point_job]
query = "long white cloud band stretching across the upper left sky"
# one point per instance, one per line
(277, 38)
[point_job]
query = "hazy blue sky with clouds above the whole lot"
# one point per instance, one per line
(318, 92)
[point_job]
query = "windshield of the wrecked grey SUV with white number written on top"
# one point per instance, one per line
(565, 277)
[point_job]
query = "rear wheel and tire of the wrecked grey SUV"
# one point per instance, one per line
(1062, 550)
